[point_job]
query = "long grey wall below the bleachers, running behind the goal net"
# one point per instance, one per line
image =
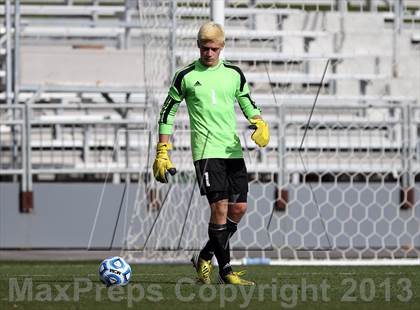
(64, 213)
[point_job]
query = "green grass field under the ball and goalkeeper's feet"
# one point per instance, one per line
(75, 285)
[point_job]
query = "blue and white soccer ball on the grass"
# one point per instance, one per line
(114, 271)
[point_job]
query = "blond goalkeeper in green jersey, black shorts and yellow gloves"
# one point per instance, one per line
(209, 87)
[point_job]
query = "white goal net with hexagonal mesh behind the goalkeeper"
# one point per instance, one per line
(336, 184)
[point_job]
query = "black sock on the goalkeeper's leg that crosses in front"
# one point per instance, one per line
(219, 238)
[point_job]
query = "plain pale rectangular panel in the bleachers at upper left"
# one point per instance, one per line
(94, 68)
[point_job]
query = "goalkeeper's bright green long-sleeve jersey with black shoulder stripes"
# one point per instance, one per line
(210, 94)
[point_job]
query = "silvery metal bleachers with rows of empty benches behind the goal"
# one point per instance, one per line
(85, 55)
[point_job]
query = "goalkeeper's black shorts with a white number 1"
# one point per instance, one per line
(221, 178)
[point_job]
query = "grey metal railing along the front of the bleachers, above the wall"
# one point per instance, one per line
(119, 139)
